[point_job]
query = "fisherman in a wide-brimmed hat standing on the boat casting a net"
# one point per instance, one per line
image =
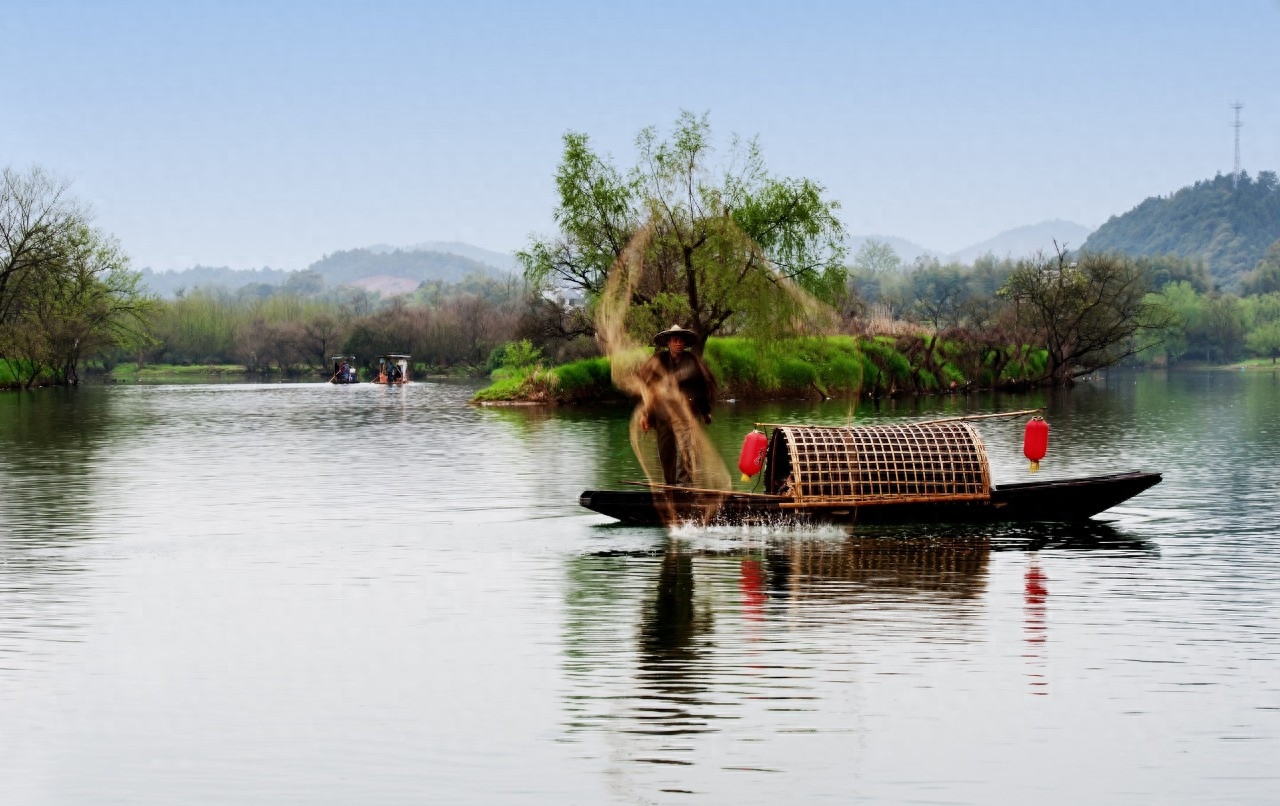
(679, 396)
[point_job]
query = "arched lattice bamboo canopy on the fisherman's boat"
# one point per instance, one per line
(880, 465)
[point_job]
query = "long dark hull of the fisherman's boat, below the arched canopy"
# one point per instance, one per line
(1069, 500)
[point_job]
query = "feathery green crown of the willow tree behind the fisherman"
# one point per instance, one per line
(724, 244)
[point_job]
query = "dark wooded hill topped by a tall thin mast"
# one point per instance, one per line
(1227, 223)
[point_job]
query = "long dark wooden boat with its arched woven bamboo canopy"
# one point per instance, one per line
(932, 473)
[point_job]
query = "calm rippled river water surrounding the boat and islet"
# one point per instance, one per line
(266, 594)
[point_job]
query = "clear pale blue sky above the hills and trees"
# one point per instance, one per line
(271, 134)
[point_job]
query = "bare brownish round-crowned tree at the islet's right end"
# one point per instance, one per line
(1089, 314)
